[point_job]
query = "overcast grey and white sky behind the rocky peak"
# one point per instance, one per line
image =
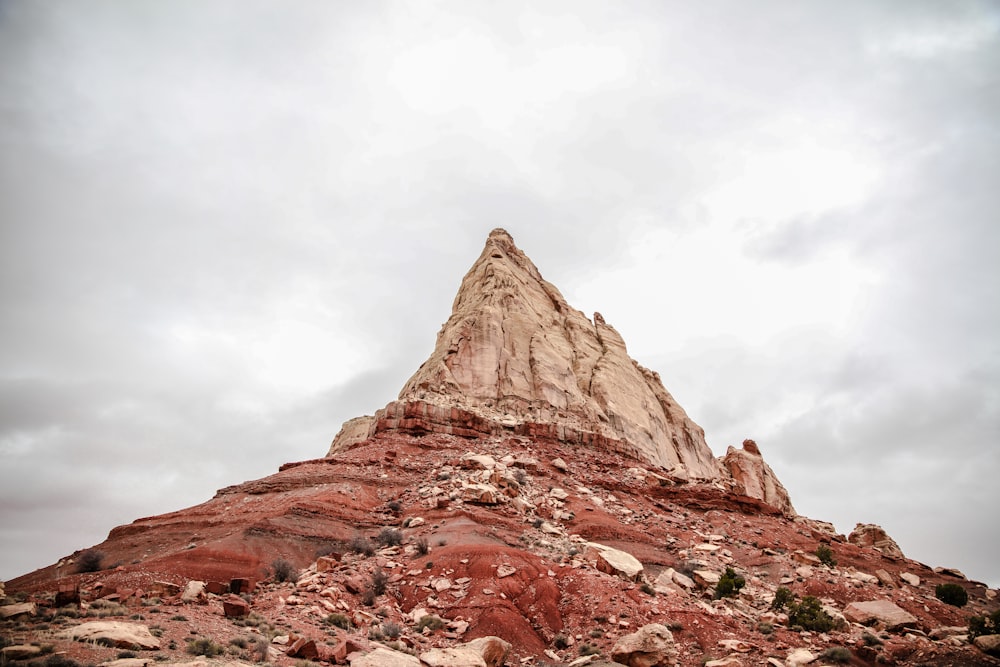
(226, 227)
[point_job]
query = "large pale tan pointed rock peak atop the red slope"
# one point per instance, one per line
(515, 357)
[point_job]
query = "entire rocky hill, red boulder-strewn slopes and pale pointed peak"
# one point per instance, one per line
(533, 496)
